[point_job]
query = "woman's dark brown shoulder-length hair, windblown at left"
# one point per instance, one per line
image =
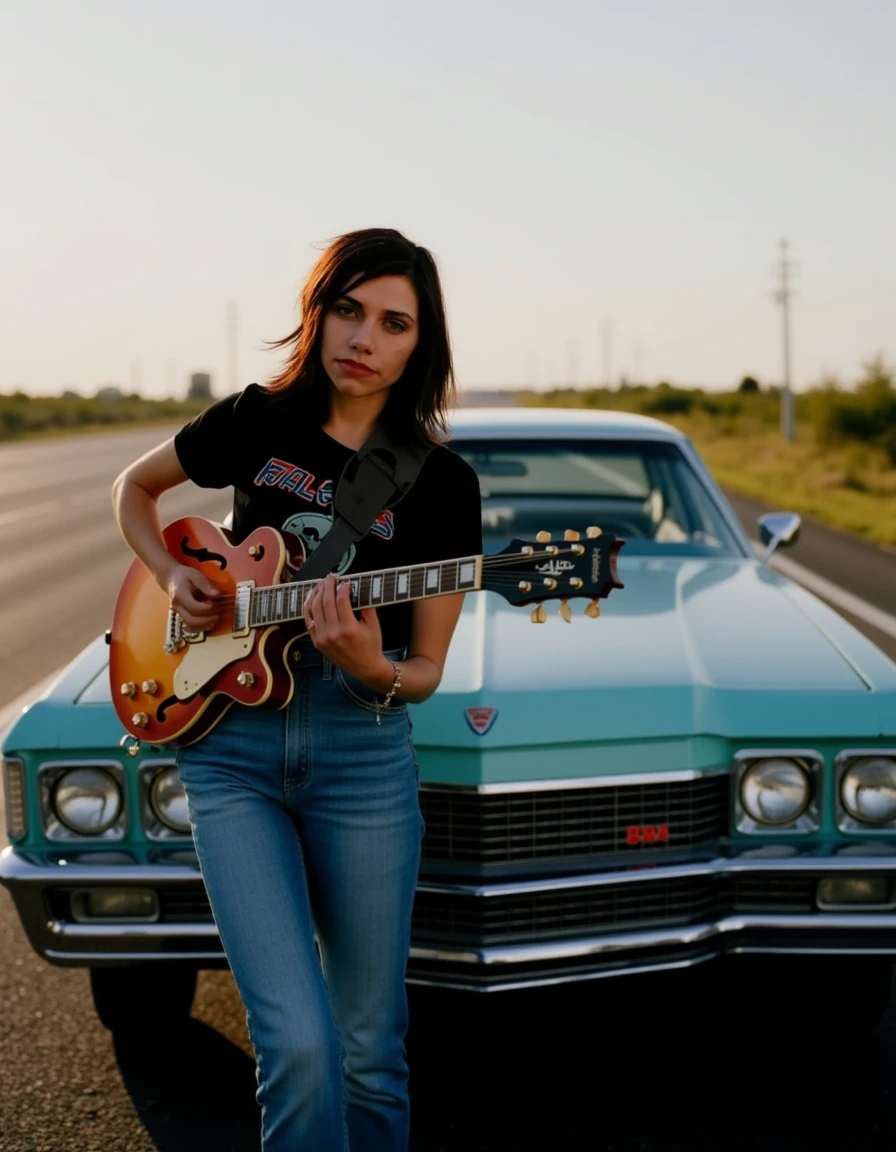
(419, 400)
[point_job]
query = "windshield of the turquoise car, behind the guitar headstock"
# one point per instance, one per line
(644, 491)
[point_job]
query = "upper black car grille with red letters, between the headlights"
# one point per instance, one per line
(519, 828)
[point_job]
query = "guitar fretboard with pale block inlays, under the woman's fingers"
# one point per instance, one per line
(283, 603)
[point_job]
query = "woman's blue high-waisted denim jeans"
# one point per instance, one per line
(308, 828)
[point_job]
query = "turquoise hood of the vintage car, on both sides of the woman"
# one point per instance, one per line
(688, 657)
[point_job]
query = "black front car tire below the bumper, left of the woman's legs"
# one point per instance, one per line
(143, 998)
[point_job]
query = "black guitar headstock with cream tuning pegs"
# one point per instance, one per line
(542, 570)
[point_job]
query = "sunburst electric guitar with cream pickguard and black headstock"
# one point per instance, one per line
(171, 686)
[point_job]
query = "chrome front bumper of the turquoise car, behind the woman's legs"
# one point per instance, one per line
(33, 877)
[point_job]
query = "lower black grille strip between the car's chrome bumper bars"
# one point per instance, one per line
(567, 913)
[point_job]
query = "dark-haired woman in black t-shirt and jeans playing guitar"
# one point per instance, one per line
(307, 821)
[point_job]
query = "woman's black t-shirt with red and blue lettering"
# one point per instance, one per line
(285, 469)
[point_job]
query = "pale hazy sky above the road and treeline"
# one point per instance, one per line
(604, 185)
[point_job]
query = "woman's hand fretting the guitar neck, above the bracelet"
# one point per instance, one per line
(354, 645)
